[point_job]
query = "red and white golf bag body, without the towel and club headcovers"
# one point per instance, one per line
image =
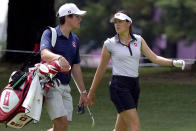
(11, 98)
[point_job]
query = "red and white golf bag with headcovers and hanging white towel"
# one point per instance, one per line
(16, 96)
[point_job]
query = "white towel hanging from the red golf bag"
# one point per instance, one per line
(34, 100)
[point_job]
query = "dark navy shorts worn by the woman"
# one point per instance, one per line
(124, 92)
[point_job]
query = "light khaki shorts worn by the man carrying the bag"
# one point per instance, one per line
(58, 102)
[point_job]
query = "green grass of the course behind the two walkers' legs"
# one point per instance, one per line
(167, 102)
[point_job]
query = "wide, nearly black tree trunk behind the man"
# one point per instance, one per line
(26, 21)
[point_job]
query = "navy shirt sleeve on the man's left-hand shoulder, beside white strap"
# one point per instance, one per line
(45, 42)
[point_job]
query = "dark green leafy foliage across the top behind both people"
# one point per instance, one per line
(176, 20)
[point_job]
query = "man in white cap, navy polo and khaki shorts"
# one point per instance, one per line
(66, 50)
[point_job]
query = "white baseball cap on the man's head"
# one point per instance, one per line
(68, 9)
